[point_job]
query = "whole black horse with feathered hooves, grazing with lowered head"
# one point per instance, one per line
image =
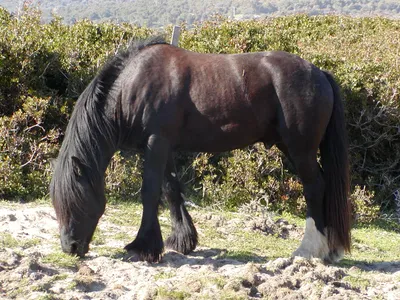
(159, 98)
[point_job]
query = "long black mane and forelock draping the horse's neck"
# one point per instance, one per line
(90, 131)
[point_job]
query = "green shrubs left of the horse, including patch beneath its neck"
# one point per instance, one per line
(44, 69)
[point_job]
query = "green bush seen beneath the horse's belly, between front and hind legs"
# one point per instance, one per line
(251, 174)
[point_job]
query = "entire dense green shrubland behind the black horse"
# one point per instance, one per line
(44, 67)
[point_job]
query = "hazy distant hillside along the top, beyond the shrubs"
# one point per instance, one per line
(157, 13)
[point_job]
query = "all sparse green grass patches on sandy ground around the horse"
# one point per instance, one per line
(372, 243)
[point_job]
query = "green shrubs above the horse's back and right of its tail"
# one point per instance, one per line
(362, 53)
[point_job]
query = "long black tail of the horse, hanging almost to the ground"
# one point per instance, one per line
(335, 164)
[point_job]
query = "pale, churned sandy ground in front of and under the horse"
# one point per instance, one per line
(32, 267)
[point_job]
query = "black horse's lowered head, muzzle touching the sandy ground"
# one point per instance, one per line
(79, 202)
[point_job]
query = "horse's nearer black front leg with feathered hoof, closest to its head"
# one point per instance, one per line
(148, 243)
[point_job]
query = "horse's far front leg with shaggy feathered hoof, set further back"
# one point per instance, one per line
(183, 237)
